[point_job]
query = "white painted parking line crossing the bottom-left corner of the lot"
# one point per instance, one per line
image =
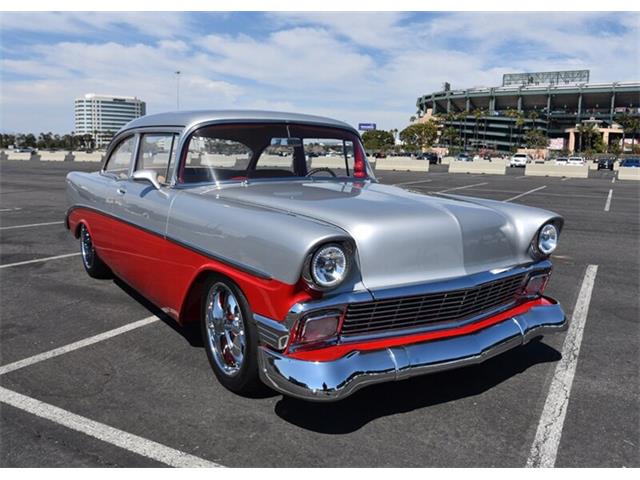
(113, 436)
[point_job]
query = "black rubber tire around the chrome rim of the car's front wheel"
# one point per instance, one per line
(246, 380)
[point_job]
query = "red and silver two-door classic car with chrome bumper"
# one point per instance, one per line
(305, 273)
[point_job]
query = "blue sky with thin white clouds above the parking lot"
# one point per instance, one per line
(357, 67)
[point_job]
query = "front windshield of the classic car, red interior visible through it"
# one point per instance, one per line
(261, 151)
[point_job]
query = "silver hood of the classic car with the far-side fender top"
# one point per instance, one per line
(405, 237)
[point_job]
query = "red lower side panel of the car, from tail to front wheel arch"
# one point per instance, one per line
(164, 271)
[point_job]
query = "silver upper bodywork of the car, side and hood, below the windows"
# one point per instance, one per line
(401, 238)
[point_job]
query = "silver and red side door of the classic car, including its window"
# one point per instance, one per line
(145, 209)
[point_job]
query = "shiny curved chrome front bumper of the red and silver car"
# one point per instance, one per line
(335, 380)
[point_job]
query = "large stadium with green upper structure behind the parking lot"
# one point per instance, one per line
(557, 103)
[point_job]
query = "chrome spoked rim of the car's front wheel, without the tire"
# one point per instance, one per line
(225, 329)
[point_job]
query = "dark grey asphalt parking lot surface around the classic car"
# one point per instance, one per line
(153, 380)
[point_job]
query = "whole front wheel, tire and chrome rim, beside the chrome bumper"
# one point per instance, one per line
(230, 337)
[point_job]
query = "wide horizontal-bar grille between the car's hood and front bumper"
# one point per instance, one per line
(411, 312)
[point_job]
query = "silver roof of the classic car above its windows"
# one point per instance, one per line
(189, 118)
